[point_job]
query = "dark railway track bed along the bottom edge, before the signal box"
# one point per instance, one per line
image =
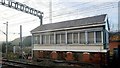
(47, 64)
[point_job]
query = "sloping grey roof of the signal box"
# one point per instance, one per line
(72, 23)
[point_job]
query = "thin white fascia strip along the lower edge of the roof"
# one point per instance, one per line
(69, 28)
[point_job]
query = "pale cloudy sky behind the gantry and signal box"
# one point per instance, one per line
(61, 10)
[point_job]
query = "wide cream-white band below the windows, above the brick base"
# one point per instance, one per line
(71, 48)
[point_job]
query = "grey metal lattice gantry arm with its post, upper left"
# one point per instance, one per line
(23, 8)
